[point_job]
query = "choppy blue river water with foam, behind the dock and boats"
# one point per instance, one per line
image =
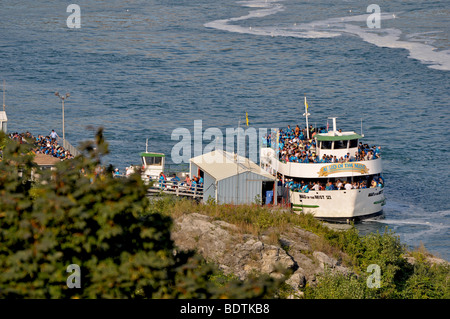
(143, 68)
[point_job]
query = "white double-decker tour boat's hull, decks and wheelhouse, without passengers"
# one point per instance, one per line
(342, 205)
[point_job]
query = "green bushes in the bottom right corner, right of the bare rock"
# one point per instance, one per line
(399, 279)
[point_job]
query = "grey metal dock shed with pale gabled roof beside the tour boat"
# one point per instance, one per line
(231, 179)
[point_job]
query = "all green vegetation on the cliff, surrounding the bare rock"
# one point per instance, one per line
(122, 241)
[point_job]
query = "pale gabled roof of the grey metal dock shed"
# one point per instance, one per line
(221, 164)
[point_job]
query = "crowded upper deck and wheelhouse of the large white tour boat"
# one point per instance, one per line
(328, 154)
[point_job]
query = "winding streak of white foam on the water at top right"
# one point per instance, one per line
(418, 49)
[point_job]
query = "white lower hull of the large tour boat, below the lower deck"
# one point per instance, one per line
(340, 205)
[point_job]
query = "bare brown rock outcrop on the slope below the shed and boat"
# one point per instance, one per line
(243, 254)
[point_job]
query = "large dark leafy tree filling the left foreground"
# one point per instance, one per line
(107, 226)
